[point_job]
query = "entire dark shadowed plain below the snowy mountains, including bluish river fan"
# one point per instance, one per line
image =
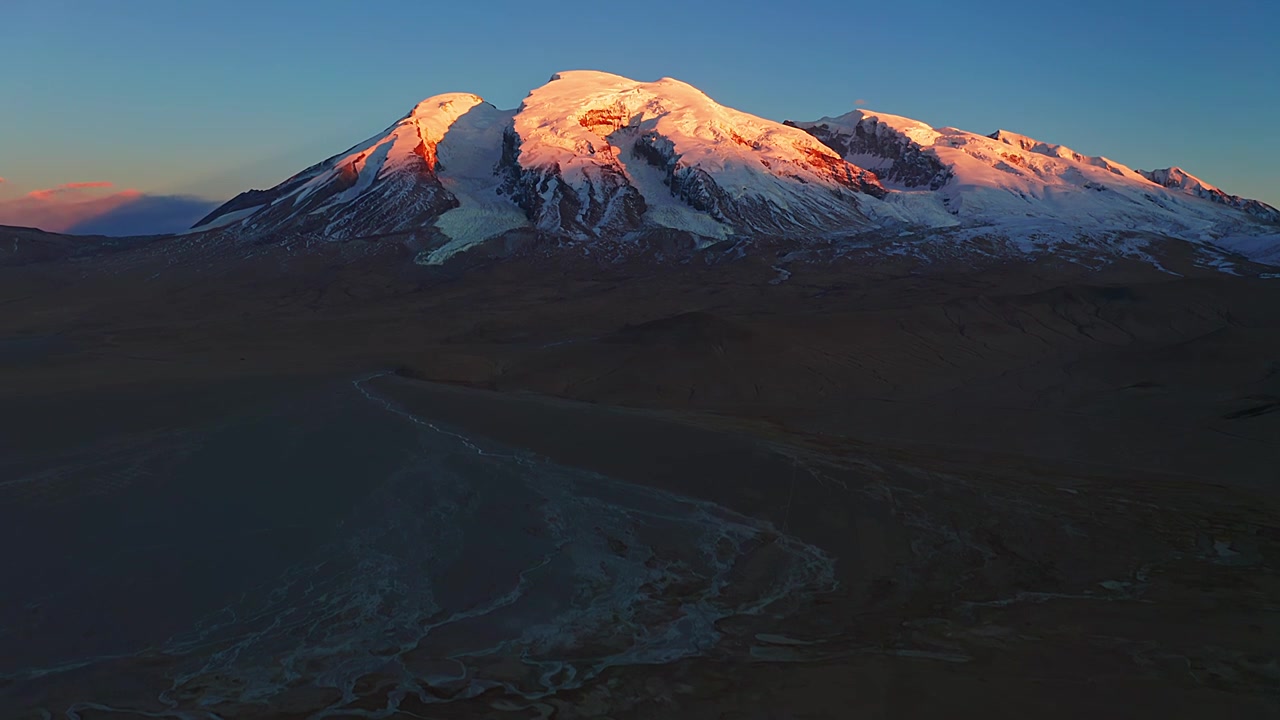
(1043, 490)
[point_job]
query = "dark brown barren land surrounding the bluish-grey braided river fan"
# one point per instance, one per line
(1050, 491)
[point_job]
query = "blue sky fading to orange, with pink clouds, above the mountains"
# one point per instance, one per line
(212, 98)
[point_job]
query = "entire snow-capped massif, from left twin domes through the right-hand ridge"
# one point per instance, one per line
(593, 157)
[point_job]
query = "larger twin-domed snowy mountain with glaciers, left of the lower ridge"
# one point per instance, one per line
(587, 156)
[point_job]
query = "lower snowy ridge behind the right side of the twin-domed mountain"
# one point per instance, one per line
(1009, 180)
